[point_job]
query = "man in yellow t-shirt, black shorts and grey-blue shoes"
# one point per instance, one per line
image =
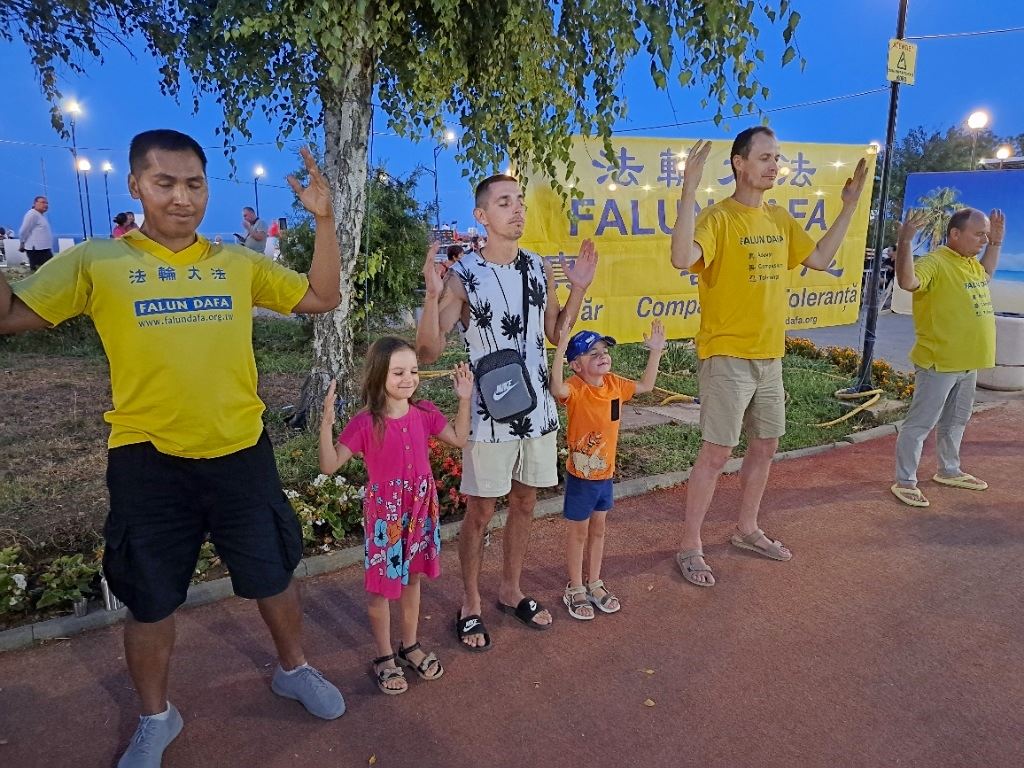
(188, 452)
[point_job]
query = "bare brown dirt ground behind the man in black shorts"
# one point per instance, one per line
(54, 449)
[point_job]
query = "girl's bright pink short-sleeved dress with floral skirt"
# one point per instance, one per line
(401, 509)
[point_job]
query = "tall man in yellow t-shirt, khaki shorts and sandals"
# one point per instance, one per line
(742, 250)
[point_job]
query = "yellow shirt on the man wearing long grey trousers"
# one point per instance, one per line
(953, 314)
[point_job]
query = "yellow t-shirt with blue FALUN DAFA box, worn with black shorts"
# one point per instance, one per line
(178, 332)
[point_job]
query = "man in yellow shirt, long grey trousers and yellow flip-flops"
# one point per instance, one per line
(955, 331)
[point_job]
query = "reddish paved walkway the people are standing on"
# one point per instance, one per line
(894, 638)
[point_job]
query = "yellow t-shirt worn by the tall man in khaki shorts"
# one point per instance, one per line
(742, 278)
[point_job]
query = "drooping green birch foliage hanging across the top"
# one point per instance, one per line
(529, 75)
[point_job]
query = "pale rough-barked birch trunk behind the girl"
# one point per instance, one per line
(348, 116)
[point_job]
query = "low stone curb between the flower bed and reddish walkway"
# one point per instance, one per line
(220, 589)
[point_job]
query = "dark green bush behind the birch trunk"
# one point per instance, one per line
(386, 282)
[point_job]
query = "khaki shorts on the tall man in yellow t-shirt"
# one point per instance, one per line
(738, 394)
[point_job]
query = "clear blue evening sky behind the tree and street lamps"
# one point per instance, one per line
(843, 42)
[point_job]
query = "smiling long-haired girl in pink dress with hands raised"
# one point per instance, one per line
(401, 526)
